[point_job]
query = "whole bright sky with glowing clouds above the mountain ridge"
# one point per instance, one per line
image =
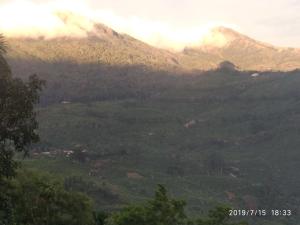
(163, 23)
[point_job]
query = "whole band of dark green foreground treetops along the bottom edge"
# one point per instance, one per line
(40, 199)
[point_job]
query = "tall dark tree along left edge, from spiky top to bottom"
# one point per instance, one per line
(17, 127)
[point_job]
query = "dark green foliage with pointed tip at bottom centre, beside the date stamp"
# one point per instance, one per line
(163, 210)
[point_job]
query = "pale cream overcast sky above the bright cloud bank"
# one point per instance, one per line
(273, 21)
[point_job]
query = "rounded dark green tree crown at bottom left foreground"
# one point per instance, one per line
(40, 199)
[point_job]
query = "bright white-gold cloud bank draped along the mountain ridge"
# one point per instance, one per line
(24, 18)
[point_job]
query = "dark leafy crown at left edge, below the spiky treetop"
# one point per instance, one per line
(17, 118)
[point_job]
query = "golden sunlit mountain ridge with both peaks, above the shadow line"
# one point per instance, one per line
(93, 43)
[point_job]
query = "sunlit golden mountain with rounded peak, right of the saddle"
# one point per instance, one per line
(248, 54)
